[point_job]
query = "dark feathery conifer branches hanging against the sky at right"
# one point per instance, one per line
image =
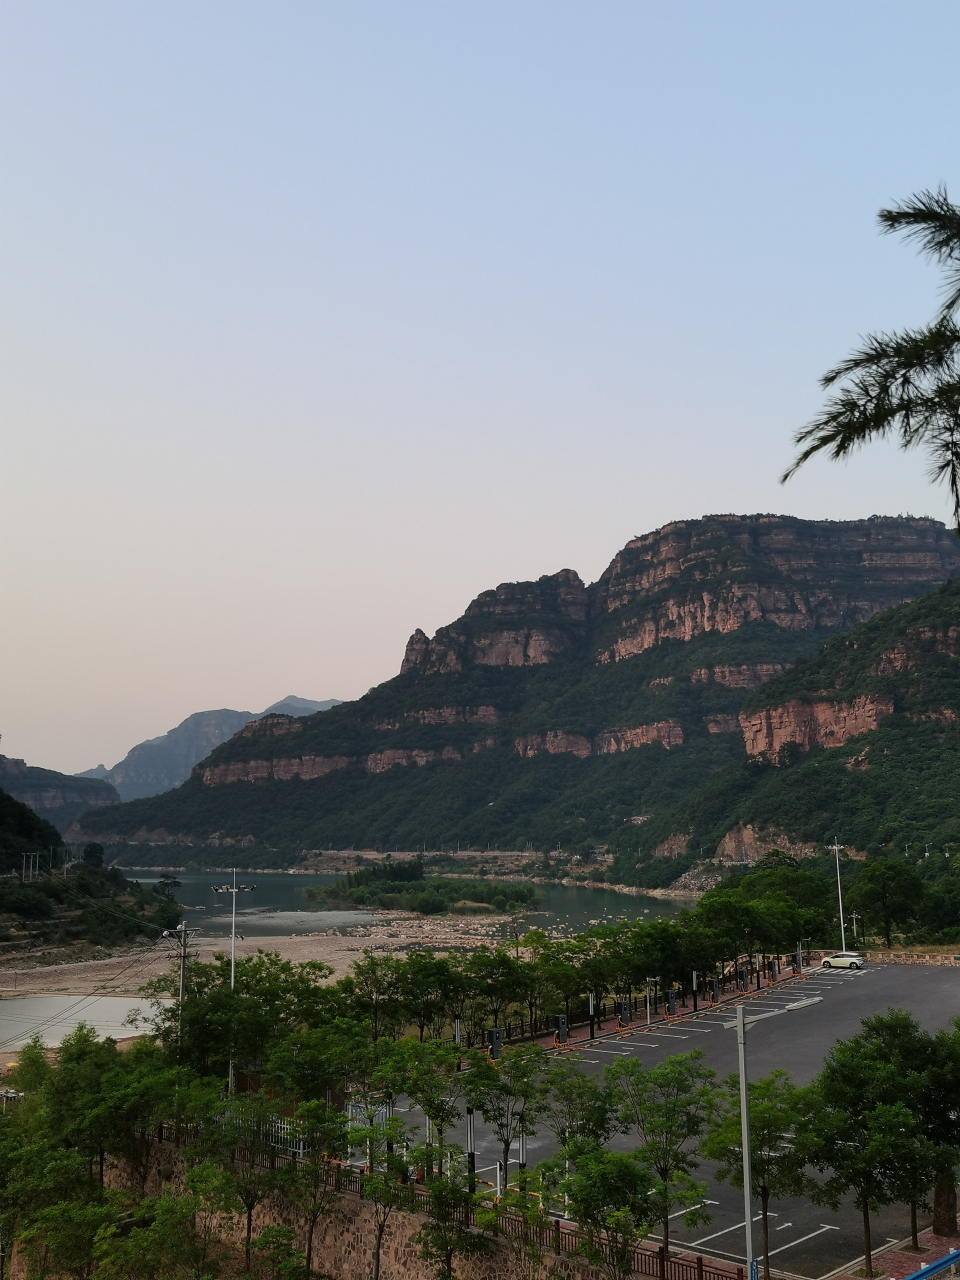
(904, 385)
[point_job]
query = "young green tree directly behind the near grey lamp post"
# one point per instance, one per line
(776, 1109)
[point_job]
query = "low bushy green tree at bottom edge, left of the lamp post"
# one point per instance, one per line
(614, 1199)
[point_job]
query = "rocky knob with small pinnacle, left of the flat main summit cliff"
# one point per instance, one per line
(516, 625)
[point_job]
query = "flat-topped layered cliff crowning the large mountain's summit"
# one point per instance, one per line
(721, 573)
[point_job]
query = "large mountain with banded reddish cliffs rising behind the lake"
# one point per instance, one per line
(555, 714)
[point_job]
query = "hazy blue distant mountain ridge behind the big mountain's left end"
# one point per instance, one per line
(162, 764)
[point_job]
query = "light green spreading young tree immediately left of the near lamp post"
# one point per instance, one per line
(669, 1108)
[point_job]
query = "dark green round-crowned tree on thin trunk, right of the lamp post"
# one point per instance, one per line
(871, 1154)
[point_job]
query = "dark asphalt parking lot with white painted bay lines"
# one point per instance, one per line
(806, 1241)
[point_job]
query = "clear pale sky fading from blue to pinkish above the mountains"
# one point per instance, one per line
(319, 319)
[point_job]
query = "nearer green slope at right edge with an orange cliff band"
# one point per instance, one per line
(858, 743)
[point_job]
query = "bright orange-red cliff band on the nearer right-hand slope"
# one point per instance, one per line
(825, 724)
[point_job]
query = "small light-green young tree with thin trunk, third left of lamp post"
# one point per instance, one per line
(509, 1094)
